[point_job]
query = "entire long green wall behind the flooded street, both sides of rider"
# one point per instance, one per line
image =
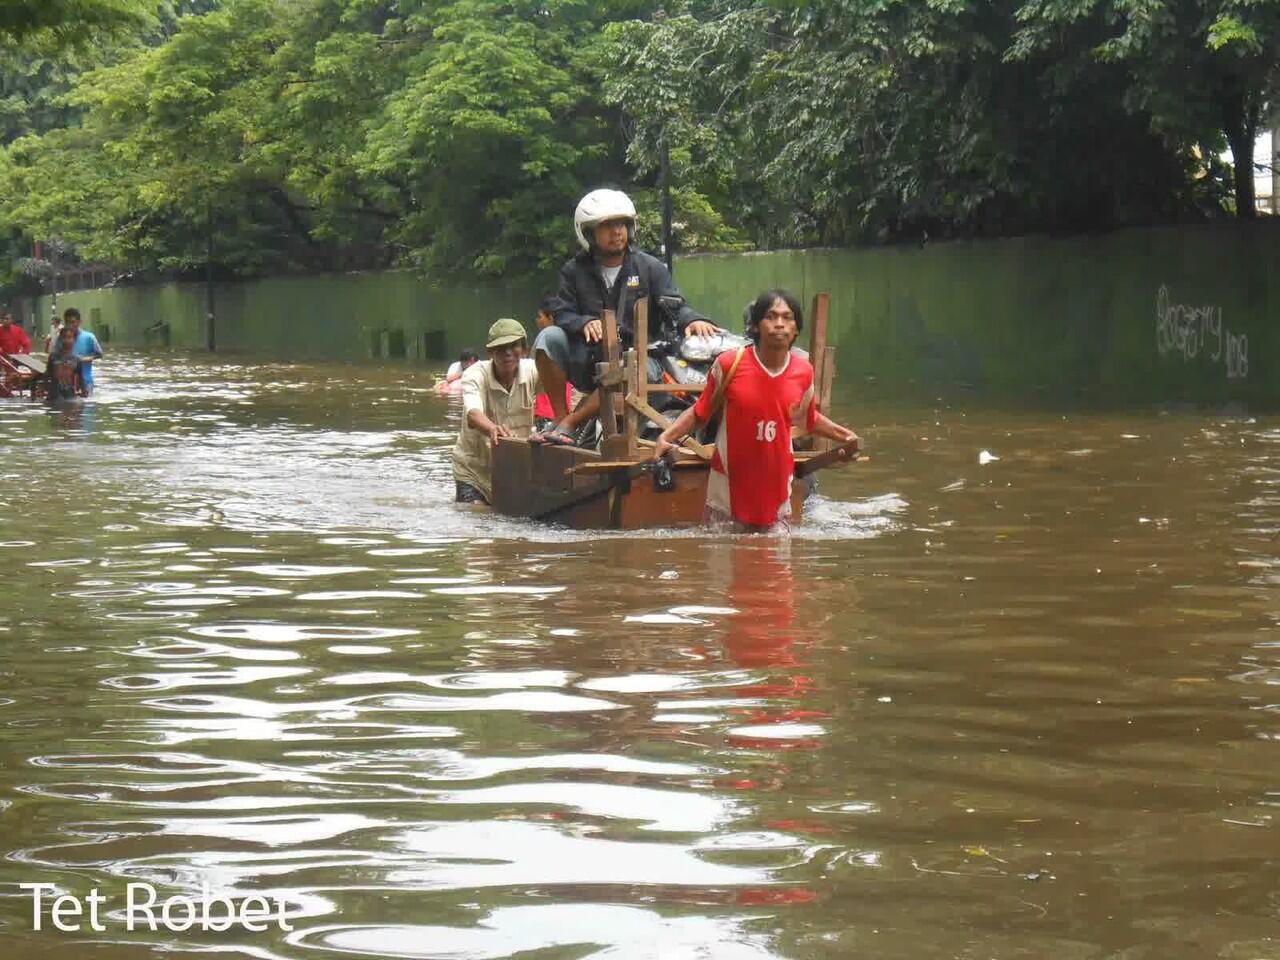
(1160, 314)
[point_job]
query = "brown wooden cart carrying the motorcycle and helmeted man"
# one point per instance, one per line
(614, 488)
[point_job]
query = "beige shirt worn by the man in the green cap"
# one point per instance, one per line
(473, 454)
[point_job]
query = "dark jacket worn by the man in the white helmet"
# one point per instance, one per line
(583, 298)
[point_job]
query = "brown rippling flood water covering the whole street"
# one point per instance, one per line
(1012, 707)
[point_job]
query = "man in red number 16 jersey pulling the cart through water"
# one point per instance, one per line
(767, 392)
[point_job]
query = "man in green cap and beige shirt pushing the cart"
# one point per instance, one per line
(497, 401)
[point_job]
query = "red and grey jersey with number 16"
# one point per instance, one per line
(752, 468)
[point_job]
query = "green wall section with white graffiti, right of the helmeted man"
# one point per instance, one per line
(1081, 314)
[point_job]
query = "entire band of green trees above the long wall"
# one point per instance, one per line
(456, 136)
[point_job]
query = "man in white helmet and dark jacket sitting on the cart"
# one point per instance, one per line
(609, 275)
